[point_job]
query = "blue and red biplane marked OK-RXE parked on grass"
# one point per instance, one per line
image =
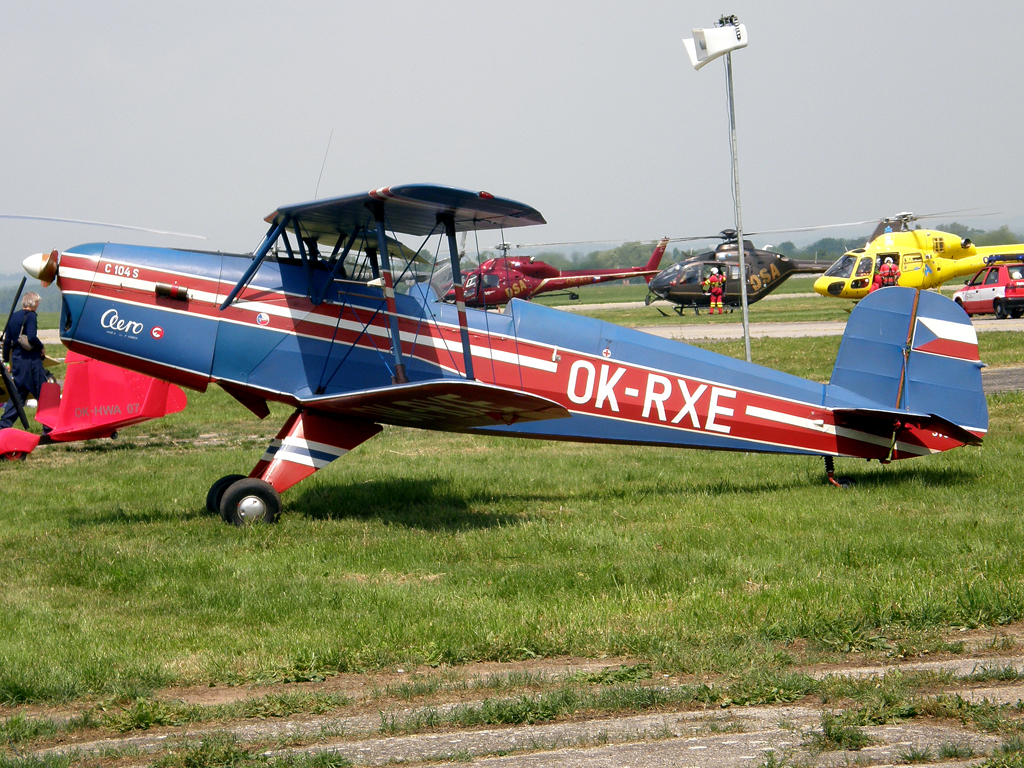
(290, 323)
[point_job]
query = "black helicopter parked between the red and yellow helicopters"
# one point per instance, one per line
(682, 284)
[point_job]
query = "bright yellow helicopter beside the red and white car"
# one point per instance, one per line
(926, 259)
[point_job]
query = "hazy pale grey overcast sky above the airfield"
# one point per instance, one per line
(204, 117)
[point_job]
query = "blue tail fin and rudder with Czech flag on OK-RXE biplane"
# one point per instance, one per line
(915, 352)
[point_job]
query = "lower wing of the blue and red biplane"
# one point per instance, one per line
(447, 405)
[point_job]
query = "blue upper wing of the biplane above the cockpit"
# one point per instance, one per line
(411, 209)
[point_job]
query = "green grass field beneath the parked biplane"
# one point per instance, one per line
(426, 548)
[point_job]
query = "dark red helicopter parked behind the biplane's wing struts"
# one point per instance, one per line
(498, 281)
